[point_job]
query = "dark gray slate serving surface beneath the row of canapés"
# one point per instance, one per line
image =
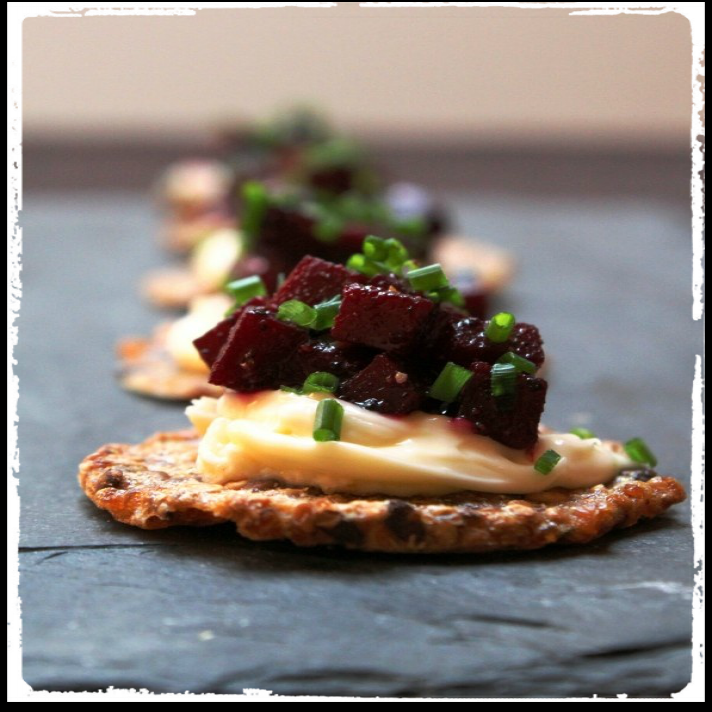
(608, 282)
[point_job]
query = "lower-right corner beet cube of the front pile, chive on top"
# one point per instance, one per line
(514, 423)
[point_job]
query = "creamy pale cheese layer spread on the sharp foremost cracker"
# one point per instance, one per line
(269, 434)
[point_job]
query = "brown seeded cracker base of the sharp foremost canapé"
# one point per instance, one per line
(155, 484)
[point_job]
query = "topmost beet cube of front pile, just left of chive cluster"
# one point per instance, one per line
(314, 280)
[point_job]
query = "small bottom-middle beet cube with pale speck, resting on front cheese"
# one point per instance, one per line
(383, 386)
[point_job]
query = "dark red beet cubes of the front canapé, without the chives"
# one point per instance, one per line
(387, 346)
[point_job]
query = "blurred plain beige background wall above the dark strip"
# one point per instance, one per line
(475, 76)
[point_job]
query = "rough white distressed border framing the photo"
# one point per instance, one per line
(18, 690)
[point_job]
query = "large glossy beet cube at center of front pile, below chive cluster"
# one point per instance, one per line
(384, 320)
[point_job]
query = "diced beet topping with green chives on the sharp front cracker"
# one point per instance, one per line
(385, 332)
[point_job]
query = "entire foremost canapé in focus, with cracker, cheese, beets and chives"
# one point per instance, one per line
(363, 407)
